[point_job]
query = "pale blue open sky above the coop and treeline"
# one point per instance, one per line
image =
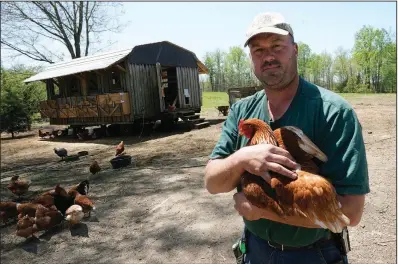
(205, 26)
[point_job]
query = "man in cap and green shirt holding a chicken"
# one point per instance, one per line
(326, 118)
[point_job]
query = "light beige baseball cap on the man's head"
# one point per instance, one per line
(268, 22)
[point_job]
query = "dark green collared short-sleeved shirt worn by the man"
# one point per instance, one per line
(331, 123)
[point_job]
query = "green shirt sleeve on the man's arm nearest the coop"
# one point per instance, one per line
(227, 141)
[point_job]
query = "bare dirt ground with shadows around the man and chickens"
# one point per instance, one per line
(157, 210)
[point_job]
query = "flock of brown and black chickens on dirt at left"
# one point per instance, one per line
(51, 208)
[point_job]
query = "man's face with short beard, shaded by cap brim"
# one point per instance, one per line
(274, 59)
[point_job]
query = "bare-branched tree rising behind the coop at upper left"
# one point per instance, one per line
(75, 25)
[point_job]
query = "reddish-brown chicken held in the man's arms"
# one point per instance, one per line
(310, 195)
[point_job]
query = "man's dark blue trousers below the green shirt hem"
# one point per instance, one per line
(258, 251)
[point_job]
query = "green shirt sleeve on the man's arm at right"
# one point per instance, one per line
(344, 145)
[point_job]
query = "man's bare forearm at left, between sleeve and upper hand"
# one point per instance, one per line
(222, 175)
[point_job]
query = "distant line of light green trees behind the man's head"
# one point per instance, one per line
(370, 66)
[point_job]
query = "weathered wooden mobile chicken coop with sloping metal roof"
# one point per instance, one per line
(156, 81)
